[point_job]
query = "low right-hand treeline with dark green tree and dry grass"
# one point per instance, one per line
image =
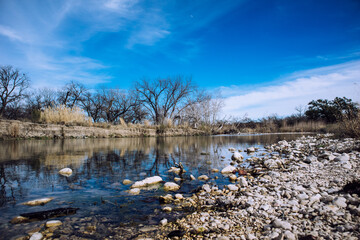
(341, 116)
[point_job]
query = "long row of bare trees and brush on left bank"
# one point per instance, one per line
(173, 99)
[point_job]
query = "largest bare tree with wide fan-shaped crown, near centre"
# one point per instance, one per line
(165, 98)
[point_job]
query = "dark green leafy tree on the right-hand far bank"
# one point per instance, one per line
(331, 110)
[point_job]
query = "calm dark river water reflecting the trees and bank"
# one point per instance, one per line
(29, 170)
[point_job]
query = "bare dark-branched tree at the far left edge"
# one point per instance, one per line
(12, 87)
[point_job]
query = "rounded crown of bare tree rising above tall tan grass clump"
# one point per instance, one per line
(72, 94)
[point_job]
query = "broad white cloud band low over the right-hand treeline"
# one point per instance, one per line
(298, 89)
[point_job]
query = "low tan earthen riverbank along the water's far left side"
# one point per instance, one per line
(13, 129)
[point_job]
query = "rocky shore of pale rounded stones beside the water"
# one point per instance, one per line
(304, 189)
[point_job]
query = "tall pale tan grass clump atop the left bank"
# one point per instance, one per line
(64, 115)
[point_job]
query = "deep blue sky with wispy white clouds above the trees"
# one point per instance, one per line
(265, 57)
